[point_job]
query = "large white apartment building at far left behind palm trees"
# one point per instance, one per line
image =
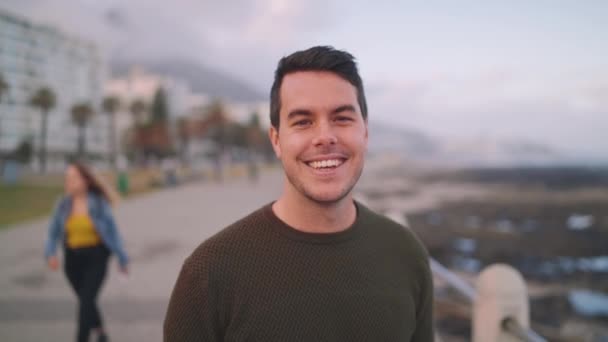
(34, 56)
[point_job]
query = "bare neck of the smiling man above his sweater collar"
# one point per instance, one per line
(306, 215)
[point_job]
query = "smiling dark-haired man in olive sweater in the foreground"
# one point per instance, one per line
(315, 265)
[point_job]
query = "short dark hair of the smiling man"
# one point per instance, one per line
(317, 58)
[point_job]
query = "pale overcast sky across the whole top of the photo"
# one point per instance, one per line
(532, 70)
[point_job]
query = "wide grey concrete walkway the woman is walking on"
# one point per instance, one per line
(160, 230)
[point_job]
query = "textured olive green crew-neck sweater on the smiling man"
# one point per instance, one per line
(262, 280)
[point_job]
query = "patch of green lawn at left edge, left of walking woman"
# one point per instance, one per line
(22, 202)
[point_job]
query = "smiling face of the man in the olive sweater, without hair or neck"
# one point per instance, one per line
(322, 138)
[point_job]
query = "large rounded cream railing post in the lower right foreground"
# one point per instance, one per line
(501, 294)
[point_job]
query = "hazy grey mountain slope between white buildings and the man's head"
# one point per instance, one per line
(200, 78)
